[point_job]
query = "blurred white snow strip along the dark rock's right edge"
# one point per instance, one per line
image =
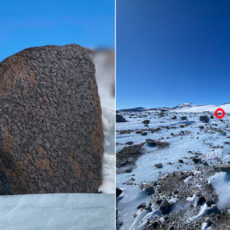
(105, 76)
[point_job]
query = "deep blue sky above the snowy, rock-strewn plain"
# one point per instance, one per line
(172, 51)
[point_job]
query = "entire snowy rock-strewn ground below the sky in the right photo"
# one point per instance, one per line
(173, 169)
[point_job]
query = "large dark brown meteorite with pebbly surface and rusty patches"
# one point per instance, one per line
(51, 137)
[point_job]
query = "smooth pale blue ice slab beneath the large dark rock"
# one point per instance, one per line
(57, 212)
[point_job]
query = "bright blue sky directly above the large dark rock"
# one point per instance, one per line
(27, 23)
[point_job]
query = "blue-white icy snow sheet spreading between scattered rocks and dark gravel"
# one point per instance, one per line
(206, 143)
